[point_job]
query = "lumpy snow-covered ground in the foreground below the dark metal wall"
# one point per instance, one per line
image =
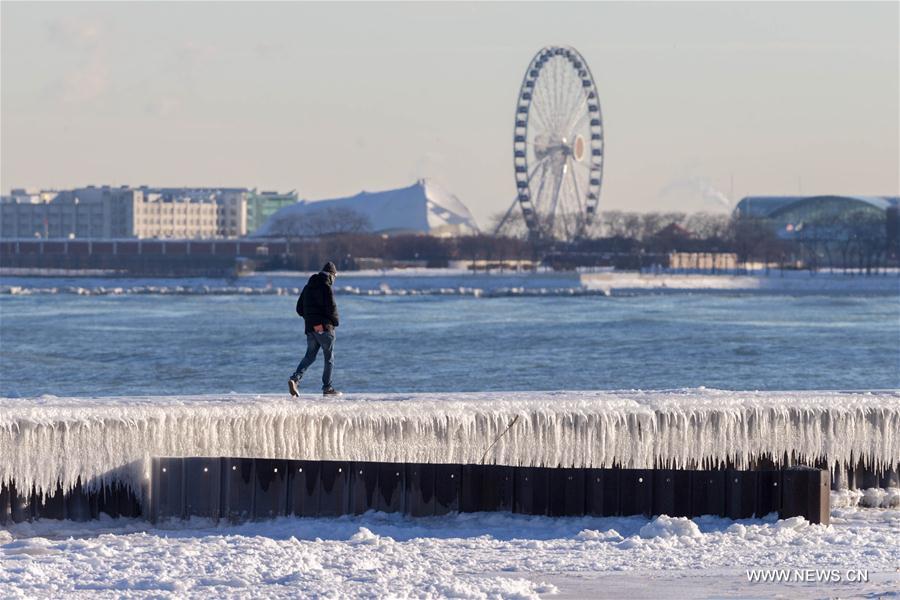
(477, 555)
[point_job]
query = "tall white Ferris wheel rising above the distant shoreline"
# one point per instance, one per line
(557, 146)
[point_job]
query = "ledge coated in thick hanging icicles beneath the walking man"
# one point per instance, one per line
(49, 439)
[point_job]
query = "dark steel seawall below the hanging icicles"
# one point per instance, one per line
(238, 489)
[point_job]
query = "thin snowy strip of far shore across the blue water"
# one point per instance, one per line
(456, 282)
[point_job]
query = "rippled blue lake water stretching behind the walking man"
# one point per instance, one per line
(148, 344)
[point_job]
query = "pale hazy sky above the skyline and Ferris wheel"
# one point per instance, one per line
(334, 98)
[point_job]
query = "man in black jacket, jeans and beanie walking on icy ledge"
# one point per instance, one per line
(317, 307)
